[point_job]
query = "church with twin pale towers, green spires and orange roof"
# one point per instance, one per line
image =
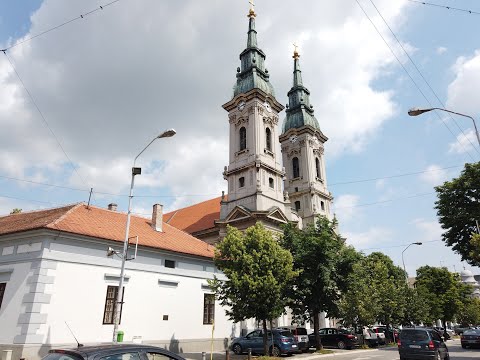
(276, 174)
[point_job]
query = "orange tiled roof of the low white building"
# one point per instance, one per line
(105, 224)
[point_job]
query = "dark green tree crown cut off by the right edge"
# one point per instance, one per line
(458, 208)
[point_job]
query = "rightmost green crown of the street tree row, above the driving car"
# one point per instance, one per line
(442, 291)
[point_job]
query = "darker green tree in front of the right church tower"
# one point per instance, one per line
(324, 262)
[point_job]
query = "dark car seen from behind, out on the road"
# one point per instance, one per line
(421, 343)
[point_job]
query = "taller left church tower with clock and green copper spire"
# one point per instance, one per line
(254, 174)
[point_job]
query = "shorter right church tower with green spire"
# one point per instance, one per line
(303, 153)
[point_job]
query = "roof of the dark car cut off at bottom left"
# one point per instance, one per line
(105, 349)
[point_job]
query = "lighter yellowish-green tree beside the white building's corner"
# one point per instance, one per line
(258, 272)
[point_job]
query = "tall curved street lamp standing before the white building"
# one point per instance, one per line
(135, 171)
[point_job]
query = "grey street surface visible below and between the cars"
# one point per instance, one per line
(387, 353)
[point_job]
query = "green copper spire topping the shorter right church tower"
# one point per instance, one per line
(299, 110)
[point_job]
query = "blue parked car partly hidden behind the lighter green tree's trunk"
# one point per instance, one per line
(283, 342)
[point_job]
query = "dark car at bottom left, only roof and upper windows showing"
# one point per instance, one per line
(113, 352)
